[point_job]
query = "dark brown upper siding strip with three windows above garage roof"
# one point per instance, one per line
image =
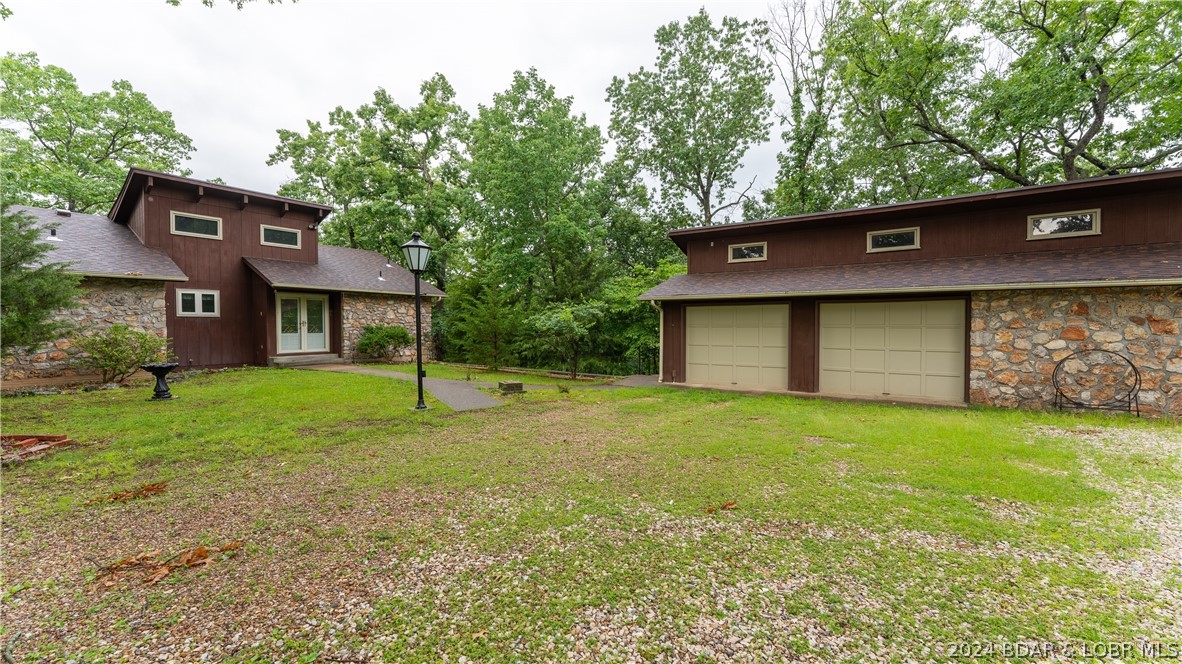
(1133, 219)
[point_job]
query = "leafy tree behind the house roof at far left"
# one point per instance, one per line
(73, 149)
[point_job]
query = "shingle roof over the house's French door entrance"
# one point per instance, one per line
(342, 269)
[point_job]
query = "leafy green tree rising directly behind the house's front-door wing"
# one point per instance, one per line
(387, 171)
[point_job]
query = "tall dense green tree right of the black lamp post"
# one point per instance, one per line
(532, 170)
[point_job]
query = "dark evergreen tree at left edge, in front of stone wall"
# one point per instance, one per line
(33, 289)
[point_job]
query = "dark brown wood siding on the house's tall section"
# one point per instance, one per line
(217, 265)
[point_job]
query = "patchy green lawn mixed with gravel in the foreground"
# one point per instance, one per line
(586, 525)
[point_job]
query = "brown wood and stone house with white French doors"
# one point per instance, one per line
(233, 277)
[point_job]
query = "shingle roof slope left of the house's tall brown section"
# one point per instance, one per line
(95, 246)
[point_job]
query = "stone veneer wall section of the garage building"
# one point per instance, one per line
(1017, 337)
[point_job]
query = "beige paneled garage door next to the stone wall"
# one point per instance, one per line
(894, 349)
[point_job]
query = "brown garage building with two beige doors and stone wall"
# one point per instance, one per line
(966, 300)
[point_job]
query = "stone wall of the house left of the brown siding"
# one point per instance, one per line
(105, 303)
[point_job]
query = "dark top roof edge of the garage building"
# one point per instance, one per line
(1002, 196)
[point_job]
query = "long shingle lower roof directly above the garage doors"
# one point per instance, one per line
(1106, 266)
